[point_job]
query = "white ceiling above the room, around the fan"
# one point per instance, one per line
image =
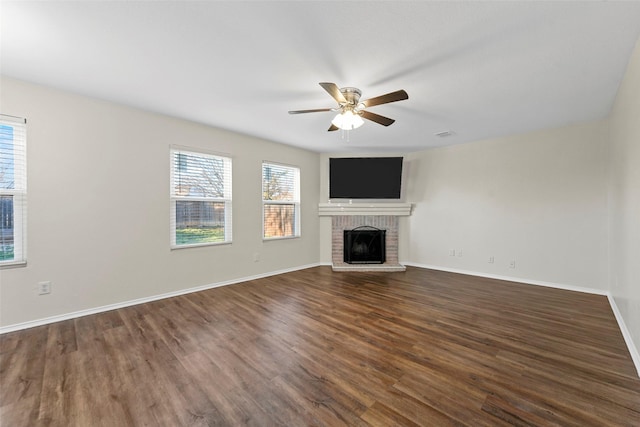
(479, 69)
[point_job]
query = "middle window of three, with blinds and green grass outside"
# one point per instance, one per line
(200, 198)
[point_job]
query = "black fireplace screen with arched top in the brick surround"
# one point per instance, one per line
(364, 245)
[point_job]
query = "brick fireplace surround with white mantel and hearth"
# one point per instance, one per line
(384, 216)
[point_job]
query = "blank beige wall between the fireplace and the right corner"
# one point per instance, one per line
(539, 199)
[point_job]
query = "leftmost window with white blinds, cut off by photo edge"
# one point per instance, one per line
(13, 190)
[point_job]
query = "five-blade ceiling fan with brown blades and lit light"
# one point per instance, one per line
(351, 110)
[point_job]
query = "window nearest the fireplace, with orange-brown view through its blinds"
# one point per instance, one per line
(280, 201)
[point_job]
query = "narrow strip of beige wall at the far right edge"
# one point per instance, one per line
(624, 242)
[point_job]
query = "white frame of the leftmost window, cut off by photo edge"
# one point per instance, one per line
(18, 192)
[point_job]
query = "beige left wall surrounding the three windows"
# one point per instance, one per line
(98, 220)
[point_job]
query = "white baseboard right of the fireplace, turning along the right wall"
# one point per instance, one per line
(633, 350)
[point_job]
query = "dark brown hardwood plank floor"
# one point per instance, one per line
(317, 348)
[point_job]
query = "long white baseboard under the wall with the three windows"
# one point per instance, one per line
(75, 314)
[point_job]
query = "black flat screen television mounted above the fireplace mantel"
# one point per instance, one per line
(365, 177)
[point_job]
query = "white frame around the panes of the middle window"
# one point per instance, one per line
(227, 198)
